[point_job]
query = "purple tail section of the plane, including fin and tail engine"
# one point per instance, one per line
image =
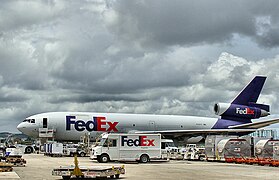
(244, 107)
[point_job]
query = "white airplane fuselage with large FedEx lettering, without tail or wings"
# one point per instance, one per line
(70, 126)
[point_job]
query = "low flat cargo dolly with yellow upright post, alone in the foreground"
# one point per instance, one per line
(88, 172)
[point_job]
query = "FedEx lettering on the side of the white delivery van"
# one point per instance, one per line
(141, 141)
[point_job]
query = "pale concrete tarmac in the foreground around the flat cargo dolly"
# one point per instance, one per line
(39, 167)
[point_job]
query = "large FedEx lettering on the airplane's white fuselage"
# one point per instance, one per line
(97, 124)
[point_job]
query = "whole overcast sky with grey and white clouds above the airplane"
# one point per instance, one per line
(156, 56)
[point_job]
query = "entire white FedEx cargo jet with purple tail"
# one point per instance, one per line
(235, 118)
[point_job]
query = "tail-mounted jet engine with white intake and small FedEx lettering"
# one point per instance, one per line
(236, 111)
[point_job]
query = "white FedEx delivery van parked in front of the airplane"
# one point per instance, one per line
(127, 147)
